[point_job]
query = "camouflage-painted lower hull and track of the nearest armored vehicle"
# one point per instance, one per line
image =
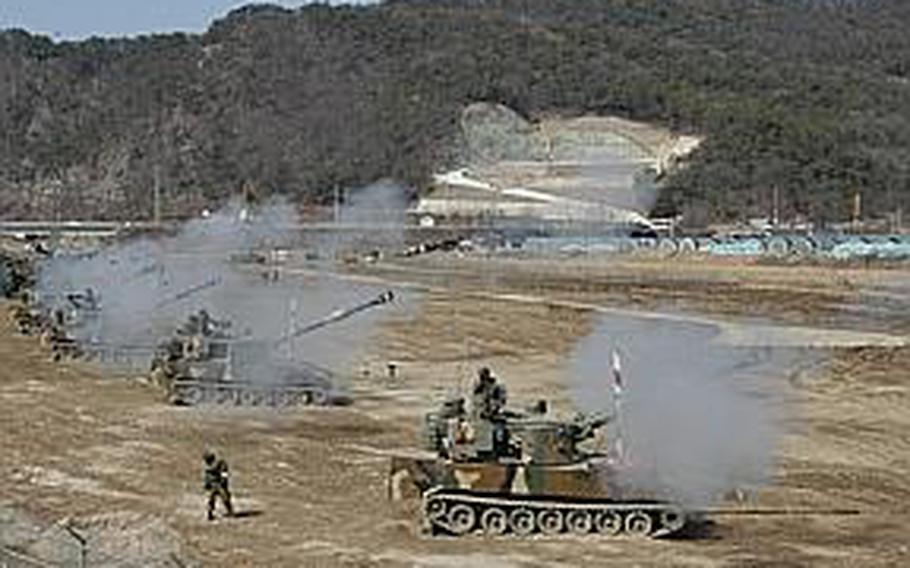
(515, 499)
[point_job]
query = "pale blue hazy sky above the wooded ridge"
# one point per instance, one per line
(77, 19)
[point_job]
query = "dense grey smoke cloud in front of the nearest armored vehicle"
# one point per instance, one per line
(698, 419)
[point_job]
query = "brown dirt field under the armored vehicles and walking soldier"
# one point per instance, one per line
(125, 467)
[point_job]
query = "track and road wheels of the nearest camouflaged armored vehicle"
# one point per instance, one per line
(459, 512)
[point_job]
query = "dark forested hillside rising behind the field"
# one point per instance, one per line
(809, 96)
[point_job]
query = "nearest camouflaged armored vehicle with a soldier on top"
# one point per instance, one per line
(496, 471)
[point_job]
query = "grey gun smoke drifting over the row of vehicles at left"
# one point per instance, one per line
(225, 263)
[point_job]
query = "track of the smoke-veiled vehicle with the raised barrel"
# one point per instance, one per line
(238, 394)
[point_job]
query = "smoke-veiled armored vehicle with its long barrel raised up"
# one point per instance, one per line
(204, 363)
